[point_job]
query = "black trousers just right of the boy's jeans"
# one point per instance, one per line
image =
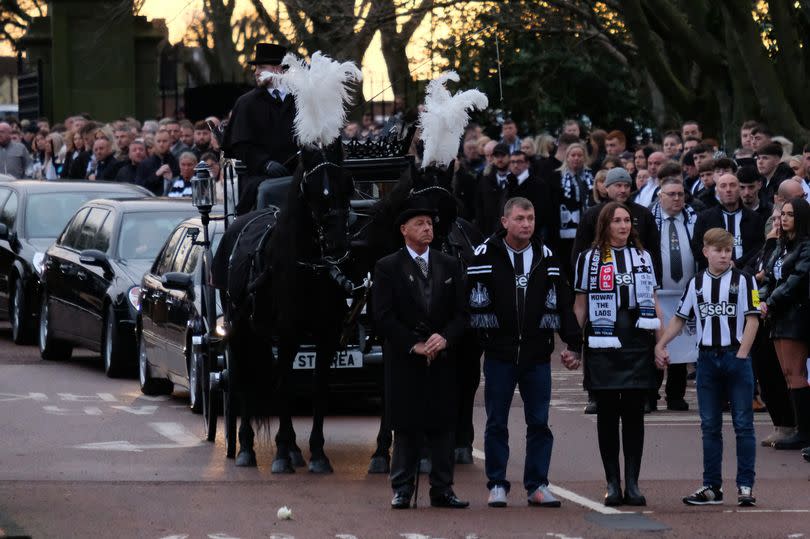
(772, 385)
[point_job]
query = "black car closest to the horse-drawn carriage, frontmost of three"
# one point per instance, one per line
(171, 313)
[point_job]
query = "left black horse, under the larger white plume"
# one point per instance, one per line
(299, 298)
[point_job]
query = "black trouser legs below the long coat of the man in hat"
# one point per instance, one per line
(407, 452)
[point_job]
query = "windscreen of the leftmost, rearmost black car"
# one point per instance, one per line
(46, 214)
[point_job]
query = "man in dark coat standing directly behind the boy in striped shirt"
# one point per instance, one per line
(746, 226)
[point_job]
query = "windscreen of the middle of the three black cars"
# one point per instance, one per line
(142, 234)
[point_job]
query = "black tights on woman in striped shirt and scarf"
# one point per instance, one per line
(627, 404)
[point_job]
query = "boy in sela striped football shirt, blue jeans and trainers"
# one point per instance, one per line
(725, 303)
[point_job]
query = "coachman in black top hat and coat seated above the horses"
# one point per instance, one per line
(260, 130)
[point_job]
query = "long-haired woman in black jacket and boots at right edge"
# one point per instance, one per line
(787, 307)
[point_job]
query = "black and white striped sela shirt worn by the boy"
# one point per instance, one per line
(719, 304)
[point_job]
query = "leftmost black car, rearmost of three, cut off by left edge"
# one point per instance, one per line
(33, 214)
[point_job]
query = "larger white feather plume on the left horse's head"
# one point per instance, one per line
(321, 91)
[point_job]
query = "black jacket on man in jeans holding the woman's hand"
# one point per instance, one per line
(493, 304)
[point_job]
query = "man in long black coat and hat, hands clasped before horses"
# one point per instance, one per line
(418, 308)
